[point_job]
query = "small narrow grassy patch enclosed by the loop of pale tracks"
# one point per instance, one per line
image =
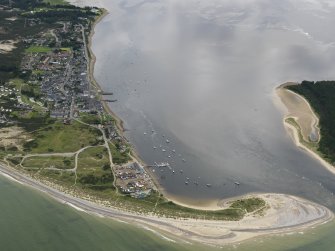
(52, 161)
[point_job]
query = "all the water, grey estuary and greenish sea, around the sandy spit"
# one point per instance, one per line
(201, 74)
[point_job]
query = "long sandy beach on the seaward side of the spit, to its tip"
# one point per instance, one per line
(282, 214)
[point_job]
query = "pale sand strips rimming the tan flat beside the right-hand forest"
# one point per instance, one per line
(294, 132)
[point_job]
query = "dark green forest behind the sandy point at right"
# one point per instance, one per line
(321, 95)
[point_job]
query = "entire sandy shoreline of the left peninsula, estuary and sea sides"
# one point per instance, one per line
(281, 213)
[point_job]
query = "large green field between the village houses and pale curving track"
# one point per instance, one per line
(62, 138)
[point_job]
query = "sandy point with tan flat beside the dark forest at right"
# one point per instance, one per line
(300, 121)
